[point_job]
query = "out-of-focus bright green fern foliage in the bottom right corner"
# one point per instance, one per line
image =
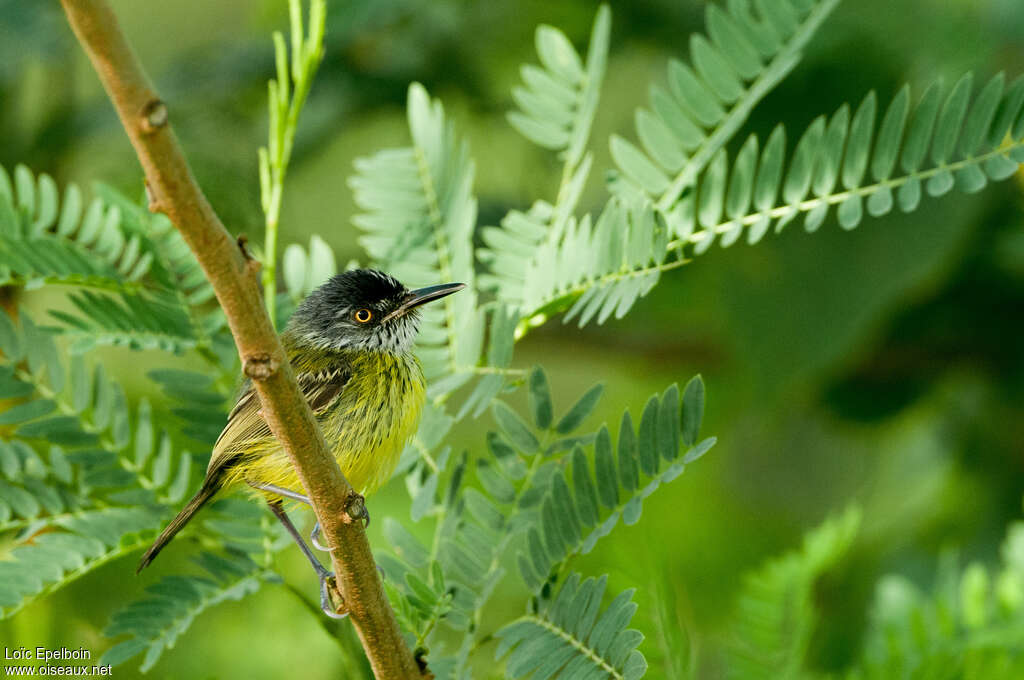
(970, 625)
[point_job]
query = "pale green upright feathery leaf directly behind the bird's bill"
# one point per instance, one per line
(419, 220)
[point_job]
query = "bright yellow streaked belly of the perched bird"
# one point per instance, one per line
(366, 430)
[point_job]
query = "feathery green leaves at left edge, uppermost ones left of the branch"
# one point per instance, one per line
(141, 286)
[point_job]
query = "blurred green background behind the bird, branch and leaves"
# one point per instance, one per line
(882, 367)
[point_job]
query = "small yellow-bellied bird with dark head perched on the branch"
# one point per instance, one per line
(351, 345)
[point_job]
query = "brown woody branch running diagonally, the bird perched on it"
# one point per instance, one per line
(235, 277)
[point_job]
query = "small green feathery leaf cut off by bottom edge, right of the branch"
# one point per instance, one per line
(571, 637)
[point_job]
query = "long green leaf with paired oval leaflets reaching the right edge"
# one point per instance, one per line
(949, 142)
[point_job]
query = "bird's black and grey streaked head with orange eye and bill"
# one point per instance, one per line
(364, 310)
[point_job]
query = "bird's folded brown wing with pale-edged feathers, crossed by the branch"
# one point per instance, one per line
(246, 426)
